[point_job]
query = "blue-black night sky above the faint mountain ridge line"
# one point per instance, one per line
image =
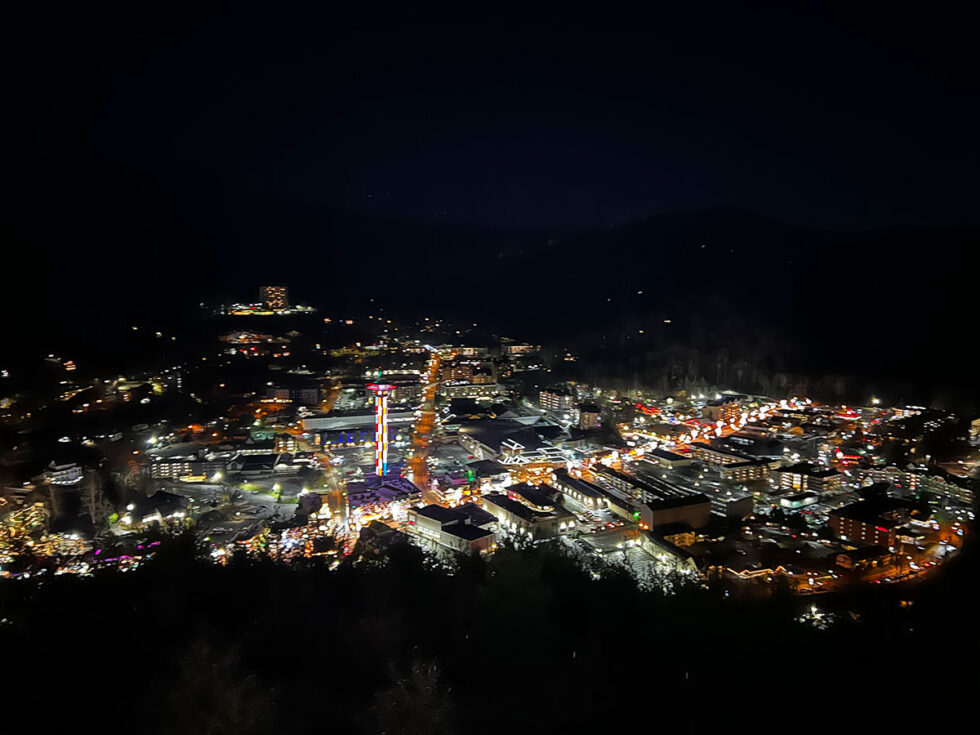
(513, 118)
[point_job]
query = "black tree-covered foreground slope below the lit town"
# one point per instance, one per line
(527, 641)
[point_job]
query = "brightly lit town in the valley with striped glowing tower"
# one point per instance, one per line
(464, 443)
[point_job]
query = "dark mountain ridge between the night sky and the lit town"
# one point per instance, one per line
(894, 305)
